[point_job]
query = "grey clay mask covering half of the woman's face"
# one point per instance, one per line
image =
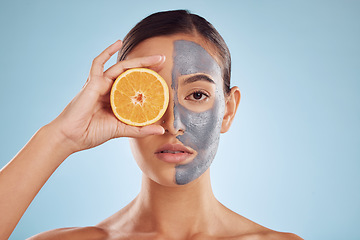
(201, 129)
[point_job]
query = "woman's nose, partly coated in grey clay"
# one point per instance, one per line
(171, 121)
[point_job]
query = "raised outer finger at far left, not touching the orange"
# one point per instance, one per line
(97, 67)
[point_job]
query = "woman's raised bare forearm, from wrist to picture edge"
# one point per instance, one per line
(23, 177)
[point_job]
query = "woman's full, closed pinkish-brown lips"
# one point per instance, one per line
(173, 153)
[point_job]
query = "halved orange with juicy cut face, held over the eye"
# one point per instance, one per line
(139, 97)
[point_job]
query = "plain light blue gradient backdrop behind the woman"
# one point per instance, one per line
(291, 159)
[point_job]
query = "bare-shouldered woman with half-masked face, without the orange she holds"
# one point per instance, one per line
(176, 200)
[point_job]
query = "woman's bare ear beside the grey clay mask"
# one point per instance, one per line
(231, 105)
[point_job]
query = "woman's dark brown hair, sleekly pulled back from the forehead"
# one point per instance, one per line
(179, 21)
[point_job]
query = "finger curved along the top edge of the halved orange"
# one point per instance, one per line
(150, 61)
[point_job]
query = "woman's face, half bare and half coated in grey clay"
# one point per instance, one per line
(194, 117)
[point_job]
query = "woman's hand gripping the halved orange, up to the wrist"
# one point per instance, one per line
(88, 120)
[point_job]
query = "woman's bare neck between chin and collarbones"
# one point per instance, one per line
(177, 210)
